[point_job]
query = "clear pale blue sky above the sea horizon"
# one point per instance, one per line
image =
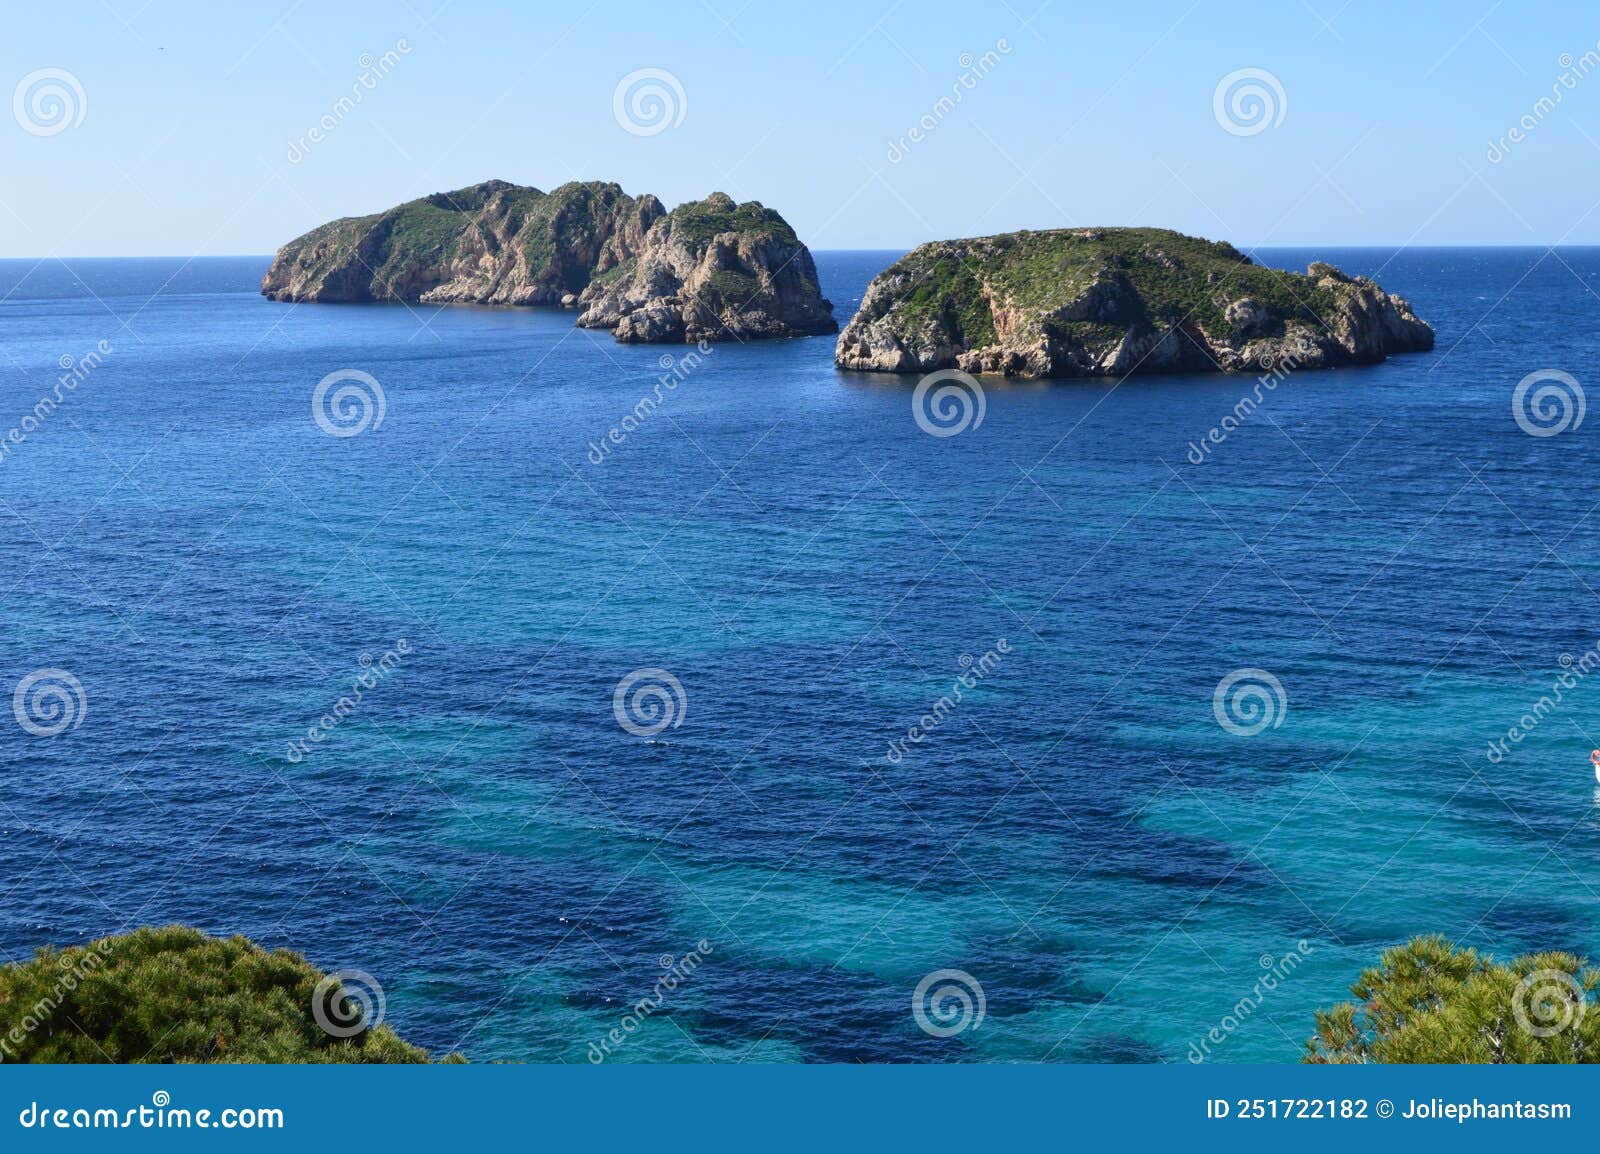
(186, 129)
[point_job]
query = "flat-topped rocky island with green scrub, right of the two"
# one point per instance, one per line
(1118, 302)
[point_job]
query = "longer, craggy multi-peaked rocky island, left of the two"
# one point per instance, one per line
(710, 270)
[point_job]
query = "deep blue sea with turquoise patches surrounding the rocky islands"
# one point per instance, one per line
(1081, 835)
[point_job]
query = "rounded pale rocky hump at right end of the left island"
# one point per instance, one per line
(713, 270)
